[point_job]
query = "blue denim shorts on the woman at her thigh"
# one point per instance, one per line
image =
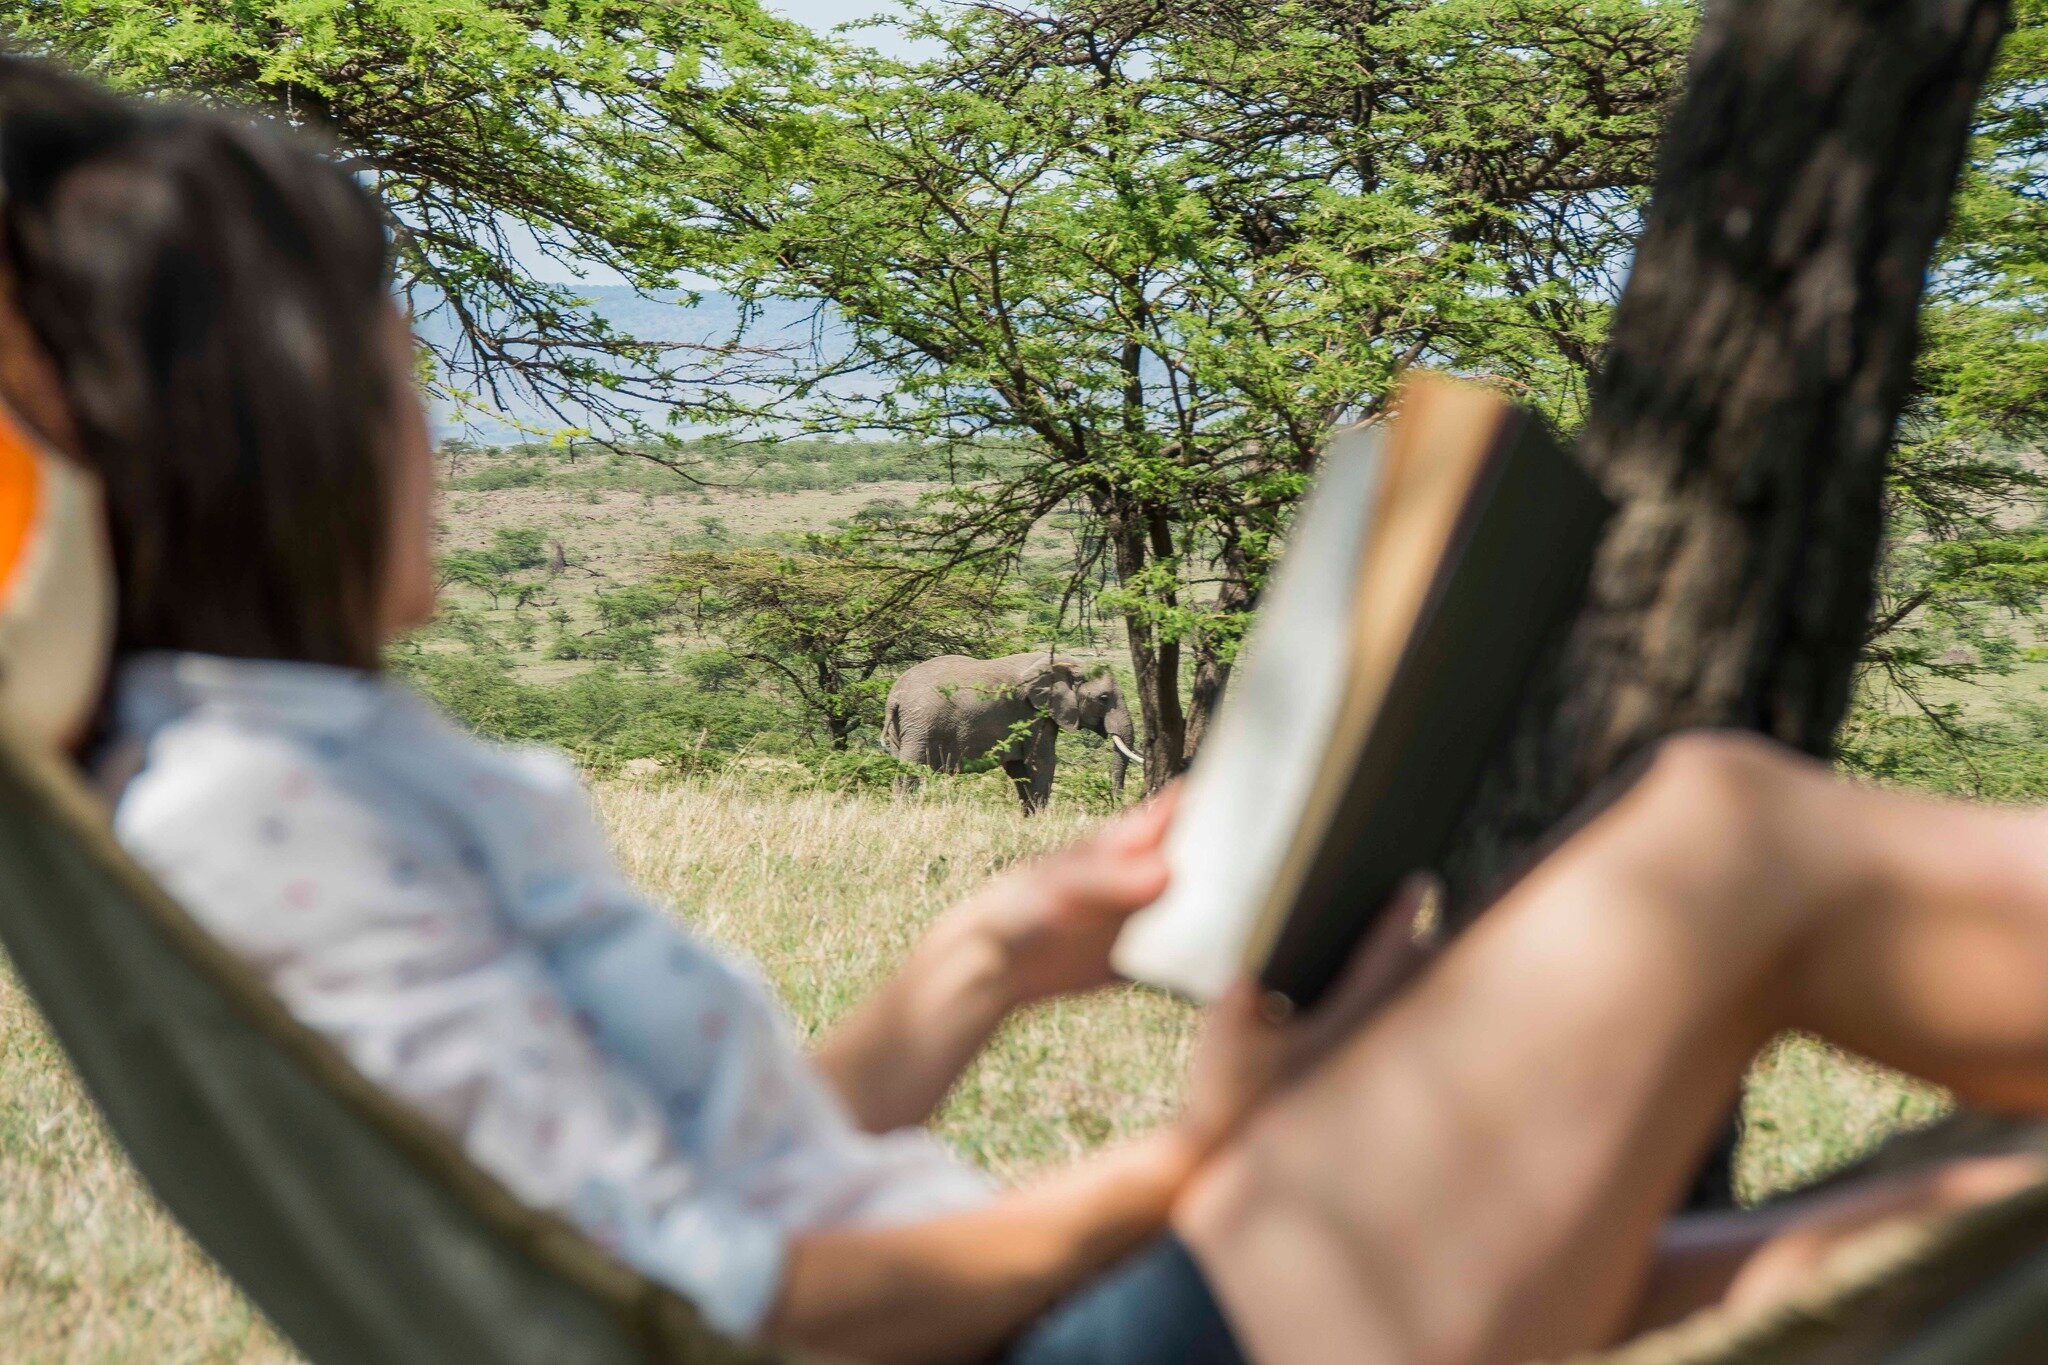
(1152, 1311)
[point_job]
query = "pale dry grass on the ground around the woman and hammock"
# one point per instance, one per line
(826, 893)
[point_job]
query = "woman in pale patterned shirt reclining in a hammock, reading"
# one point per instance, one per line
(200, 312)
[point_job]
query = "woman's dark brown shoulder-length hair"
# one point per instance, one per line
(214, 300)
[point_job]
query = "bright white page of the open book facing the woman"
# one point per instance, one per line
(1261, 758)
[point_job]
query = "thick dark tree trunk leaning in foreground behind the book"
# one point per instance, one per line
(1758, 367)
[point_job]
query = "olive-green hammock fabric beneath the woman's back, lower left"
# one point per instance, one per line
(361, 1231)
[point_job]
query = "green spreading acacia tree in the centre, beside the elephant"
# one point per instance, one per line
(1160, 249)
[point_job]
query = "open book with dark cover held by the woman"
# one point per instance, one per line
(1428, 568)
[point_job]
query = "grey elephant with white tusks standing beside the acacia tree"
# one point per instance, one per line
(955, 709)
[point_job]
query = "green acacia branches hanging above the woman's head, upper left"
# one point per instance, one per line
(499, 134)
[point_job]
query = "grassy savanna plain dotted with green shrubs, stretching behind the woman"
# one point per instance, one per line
(566, 621)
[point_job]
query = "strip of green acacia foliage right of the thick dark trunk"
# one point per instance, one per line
(1967, 566)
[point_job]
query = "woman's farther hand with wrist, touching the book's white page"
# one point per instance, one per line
(1050, 924)
